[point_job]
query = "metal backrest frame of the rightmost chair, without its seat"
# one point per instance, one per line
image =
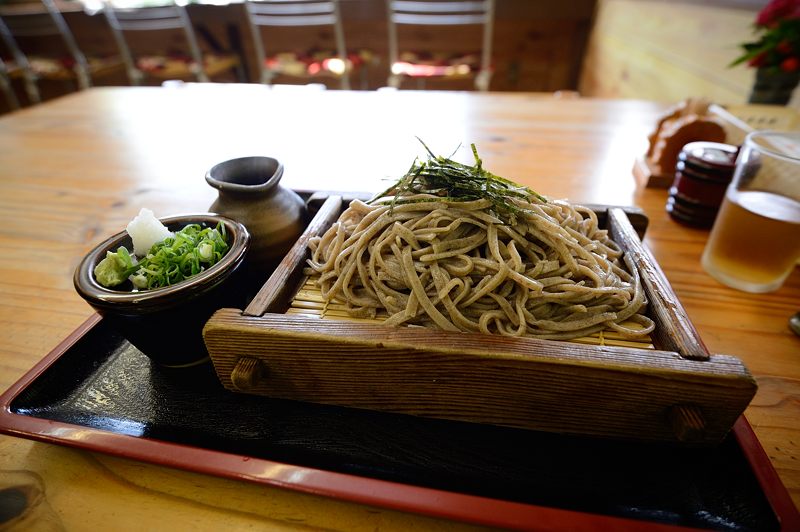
(442, 13)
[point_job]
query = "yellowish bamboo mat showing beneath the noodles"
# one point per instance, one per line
(308, 301)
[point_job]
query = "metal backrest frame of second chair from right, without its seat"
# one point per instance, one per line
(262, 13)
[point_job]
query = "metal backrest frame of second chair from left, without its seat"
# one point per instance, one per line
(166, 18)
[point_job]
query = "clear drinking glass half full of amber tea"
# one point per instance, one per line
(755, 241)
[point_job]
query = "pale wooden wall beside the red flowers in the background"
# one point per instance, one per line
(667, 51)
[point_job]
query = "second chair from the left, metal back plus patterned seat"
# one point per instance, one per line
(193, 64)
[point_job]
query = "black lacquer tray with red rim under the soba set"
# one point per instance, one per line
(97, 382)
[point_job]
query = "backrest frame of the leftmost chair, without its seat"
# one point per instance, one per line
(48, 22)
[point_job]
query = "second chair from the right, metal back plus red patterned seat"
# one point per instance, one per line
(275, 13)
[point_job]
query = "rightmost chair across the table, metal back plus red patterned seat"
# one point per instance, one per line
(441, 13)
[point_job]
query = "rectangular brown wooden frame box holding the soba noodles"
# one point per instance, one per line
(674, 392)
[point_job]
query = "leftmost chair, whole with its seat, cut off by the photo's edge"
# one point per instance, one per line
(66, 63)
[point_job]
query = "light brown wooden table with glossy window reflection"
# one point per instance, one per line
(77, 169)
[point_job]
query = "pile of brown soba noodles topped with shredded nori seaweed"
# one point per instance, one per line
(454, 247)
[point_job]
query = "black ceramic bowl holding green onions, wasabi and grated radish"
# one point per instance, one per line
(166, 323)
